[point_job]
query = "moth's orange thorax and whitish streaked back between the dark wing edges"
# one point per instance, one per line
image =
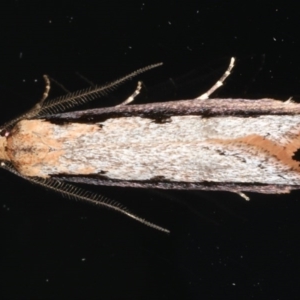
(187, 149)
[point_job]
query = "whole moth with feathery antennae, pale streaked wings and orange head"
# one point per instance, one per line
(236, 145)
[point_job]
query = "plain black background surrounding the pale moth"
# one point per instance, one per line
(220, 246)
